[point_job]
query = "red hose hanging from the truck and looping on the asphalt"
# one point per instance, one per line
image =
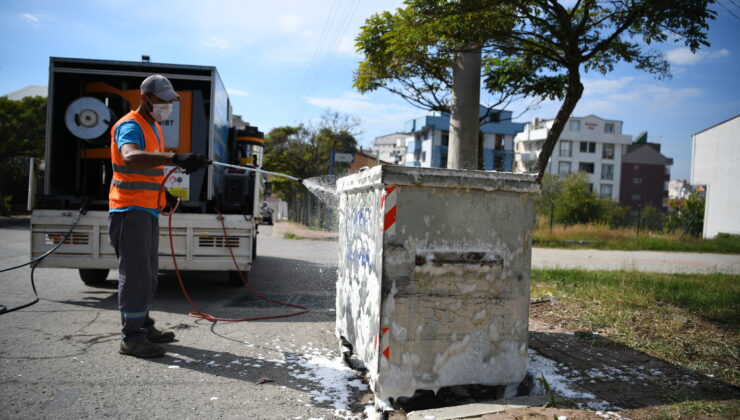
(197, 313)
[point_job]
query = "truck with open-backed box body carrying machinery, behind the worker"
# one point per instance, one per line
(86, 98)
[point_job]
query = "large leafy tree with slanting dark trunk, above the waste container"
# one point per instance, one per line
(531, 47)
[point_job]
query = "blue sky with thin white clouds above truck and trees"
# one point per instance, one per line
(286, 62)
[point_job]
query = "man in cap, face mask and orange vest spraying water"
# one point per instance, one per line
(134, 201)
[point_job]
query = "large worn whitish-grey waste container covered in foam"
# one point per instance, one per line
(433, 276)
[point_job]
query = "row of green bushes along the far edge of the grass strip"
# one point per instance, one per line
(569, 200)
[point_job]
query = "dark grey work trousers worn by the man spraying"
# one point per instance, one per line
(134, 235)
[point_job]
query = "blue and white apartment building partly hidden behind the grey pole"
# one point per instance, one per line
(429, 138)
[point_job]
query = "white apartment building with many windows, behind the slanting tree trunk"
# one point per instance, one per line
(587, 144)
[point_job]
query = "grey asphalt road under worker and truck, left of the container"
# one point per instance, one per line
(59, 359)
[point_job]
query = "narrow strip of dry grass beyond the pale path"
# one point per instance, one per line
(603, 237)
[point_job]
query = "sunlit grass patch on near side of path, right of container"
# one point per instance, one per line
(691, 320)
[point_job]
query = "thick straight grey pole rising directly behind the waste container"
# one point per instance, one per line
(464, 109)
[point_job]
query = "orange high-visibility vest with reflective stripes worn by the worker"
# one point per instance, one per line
(133, 186)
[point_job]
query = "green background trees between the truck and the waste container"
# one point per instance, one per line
(305, 152)
